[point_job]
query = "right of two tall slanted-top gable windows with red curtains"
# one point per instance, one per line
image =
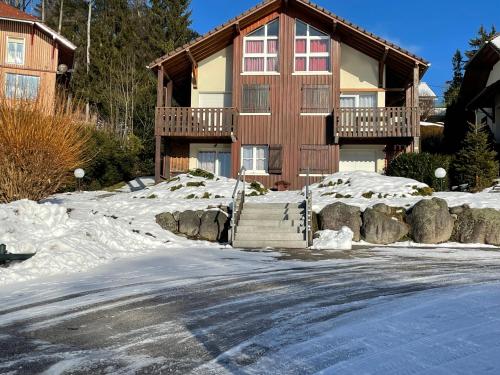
(312, 49)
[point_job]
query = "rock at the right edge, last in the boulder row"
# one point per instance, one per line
(474, 225)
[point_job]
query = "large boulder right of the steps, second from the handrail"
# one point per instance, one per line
(383, 224)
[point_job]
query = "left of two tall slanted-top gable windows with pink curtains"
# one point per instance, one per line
(260, 49)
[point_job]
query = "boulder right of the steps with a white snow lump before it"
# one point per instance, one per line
(338, 215)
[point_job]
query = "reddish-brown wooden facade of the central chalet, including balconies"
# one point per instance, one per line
(297, 142)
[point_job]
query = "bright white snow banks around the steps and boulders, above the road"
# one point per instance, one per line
(74, 232)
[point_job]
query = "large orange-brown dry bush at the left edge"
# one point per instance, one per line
(40, 146)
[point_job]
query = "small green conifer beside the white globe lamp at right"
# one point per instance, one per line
(475, 164)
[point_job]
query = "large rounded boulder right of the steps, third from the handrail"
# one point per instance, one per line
(431, 221)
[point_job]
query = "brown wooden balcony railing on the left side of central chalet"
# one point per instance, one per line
(196, 122)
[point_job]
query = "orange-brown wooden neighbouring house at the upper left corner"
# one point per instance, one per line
(32, 56)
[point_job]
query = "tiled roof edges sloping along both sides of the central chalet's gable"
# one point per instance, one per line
(343, 22)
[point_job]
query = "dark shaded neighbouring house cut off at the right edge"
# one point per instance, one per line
(480, 89)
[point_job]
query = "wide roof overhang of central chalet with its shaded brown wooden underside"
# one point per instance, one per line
(177, 63)
